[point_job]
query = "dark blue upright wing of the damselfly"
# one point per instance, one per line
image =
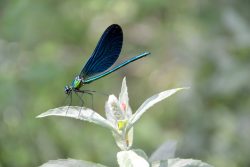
(106, 52)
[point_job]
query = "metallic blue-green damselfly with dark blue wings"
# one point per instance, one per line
(104, 56)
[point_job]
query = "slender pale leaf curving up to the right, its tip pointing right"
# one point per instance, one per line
(149, 103)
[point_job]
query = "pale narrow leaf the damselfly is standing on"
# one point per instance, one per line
(81, 113)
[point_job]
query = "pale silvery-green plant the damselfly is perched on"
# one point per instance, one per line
(120, 120)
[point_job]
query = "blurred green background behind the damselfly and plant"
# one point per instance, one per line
(201, 44)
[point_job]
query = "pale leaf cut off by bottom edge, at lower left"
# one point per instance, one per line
(70, 163)
